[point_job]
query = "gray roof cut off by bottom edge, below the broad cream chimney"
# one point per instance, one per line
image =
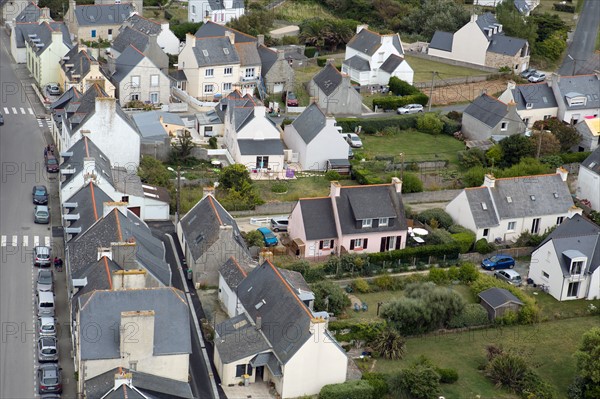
(151, 386)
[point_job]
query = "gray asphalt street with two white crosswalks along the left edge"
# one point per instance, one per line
(21, 156)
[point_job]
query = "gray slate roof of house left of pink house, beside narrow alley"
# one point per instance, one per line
(201, 226)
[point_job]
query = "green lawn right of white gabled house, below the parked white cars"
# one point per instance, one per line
(415, 145)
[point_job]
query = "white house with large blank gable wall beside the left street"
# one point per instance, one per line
(100, 118)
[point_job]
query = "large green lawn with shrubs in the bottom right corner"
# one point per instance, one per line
(551, 345)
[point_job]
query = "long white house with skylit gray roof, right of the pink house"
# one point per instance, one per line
(502, 209)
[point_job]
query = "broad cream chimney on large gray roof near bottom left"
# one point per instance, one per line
(143, 345)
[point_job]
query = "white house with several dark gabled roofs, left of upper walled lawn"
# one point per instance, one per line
(372, 58)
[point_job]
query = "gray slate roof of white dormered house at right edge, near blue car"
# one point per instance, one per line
(576, 233)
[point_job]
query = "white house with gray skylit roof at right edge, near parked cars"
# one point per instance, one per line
(577, 96)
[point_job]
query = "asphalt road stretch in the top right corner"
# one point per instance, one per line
(584, 61)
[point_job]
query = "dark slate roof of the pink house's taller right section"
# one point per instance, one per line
(370, 202)
